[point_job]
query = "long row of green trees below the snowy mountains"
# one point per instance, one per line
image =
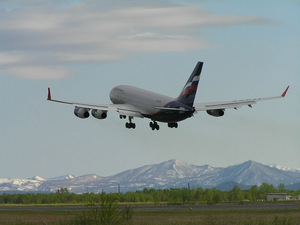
(169, 196)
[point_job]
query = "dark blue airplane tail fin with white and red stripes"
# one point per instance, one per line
(188, 93)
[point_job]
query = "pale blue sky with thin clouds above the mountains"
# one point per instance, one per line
(82, 49)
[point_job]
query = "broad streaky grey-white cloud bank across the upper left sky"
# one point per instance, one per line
(50, 35)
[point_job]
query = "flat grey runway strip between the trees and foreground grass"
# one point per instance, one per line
(264, 206)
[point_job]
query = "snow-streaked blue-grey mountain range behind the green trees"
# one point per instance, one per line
(169, 174)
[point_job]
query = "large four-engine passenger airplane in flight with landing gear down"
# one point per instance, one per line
(132, 102)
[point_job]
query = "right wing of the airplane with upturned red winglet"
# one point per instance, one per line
(233, 104)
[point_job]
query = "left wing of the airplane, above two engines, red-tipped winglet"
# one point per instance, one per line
(122, 109)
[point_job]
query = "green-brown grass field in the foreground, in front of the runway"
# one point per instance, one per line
(182, 217)
